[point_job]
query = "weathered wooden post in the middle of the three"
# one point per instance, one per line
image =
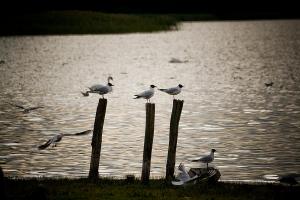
(149, 133)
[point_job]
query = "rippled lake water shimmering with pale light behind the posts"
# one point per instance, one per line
(254, 128)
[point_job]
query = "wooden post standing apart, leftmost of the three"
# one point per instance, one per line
(97, 139)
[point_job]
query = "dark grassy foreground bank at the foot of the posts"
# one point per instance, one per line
(157, 189)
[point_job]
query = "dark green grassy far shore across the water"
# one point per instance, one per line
(92, 22)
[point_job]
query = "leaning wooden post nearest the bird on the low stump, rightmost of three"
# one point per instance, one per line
(175, 117)
